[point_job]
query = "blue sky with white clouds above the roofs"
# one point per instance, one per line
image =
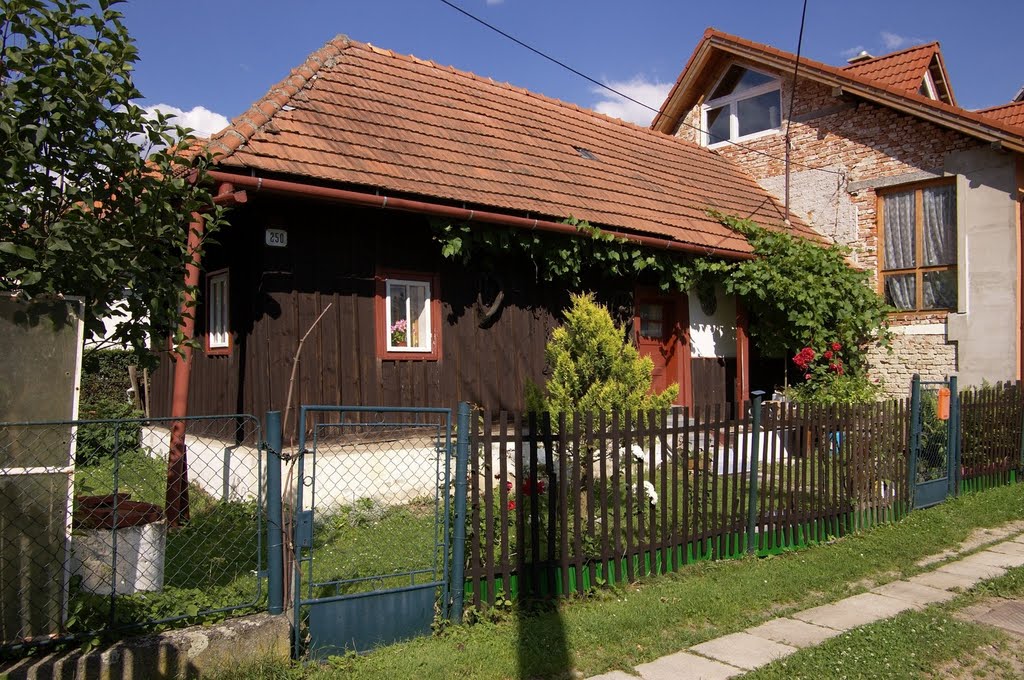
(223, 55)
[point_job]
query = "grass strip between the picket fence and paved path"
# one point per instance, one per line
(622, 628)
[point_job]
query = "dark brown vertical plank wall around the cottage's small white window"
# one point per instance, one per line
(333, 252)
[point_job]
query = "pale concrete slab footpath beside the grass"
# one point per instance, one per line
(735, 655)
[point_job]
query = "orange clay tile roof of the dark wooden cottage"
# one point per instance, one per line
(357, 115)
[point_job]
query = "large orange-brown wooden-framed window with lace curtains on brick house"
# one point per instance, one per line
(919, 247)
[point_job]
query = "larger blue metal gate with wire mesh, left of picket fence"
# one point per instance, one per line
(373, 527)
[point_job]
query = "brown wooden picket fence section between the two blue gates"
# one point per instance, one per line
(560, 507)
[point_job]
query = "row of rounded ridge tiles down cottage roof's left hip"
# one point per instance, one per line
(243, 127)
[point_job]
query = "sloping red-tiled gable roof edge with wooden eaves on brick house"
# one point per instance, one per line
(969, 122)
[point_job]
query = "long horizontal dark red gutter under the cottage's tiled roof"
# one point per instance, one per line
(460, 215)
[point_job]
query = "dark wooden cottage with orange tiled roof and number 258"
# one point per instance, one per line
(349, 166)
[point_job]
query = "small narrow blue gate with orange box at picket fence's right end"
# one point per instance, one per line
(935, 440)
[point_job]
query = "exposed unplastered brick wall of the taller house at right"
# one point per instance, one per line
(858, 144)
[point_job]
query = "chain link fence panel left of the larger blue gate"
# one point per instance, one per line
(93, 541)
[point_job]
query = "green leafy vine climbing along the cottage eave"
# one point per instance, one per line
(800, 293)
